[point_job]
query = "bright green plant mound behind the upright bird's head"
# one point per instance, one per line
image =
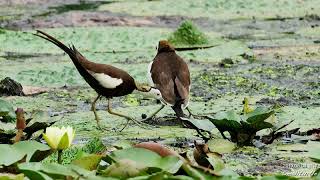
(188, 34)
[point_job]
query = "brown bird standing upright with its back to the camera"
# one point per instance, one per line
(169, 73)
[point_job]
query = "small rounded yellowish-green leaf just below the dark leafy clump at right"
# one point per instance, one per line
(221, 146)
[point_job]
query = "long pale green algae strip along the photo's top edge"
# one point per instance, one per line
(221, 9)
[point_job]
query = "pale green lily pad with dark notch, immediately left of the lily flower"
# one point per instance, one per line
(35, 151)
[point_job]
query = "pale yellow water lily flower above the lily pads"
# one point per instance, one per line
(59, 138)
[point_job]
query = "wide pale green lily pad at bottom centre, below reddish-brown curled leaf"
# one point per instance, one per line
(148, 158)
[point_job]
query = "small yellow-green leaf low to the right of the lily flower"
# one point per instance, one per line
(89, 162)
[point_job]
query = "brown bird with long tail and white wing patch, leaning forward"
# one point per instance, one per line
(106, 80)
